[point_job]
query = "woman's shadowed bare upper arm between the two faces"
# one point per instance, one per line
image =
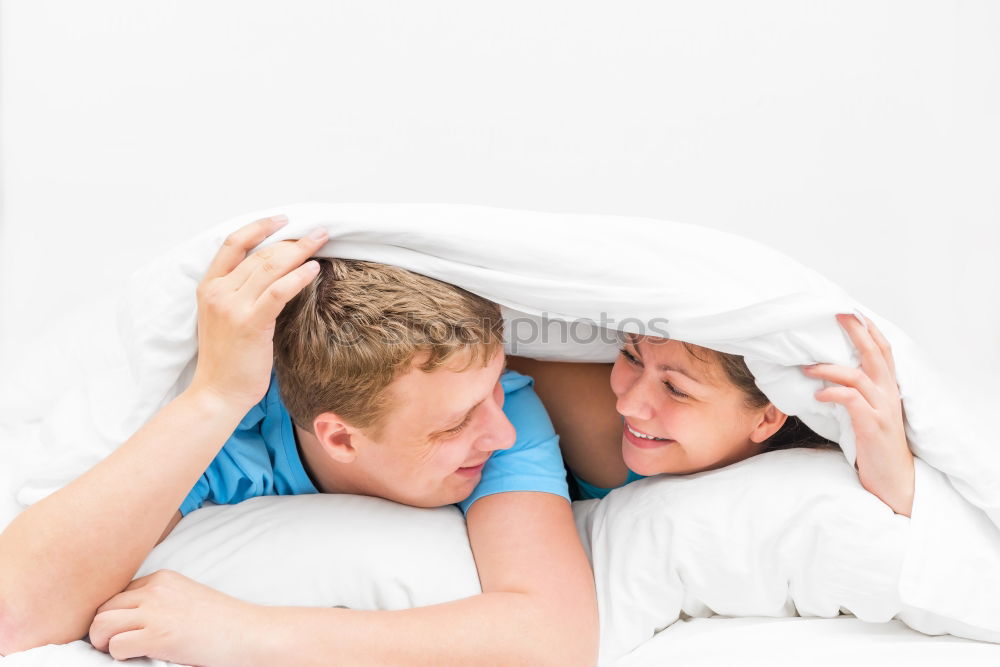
(580, 402)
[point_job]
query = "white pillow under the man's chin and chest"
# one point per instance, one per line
(324, 550)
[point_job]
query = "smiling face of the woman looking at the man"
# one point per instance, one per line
(681, 414)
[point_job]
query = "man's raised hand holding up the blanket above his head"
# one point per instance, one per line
(238, 302)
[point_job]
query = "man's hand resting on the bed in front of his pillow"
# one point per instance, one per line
(169, 617)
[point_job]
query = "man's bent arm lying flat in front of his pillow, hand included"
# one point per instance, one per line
(538, 607)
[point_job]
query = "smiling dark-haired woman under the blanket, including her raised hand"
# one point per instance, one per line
(670, 407)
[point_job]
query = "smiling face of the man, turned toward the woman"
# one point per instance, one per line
(442, 428)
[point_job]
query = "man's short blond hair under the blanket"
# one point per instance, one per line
(340, 343)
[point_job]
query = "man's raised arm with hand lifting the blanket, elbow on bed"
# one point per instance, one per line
(64, 556)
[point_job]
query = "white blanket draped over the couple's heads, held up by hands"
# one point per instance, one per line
(547, 270)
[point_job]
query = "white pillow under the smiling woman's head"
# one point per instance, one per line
(785, 533)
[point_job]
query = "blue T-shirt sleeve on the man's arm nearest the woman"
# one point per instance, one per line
(534, 462)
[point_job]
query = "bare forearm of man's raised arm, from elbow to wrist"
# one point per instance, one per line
(67, 554)
